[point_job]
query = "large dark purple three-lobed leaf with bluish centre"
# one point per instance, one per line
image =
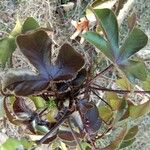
(36, 46)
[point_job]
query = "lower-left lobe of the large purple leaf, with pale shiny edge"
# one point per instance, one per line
(24, 83)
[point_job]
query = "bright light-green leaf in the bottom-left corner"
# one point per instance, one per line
(13, 144)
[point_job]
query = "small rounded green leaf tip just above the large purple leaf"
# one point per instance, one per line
(30, 24)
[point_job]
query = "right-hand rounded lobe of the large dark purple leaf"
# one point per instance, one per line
(67, 64)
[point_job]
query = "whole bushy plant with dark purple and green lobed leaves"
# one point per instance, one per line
(62, 89)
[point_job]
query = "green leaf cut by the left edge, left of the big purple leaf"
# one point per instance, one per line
(7, 47)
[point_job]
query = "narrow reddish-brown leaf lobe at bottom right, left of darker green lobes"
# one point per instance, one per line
(115, 144)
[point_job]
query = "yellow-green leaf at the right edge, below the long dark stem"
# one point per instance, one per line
(137, 111)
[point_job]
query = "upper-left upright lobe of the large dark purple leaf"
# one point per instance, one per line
(36, 47)
